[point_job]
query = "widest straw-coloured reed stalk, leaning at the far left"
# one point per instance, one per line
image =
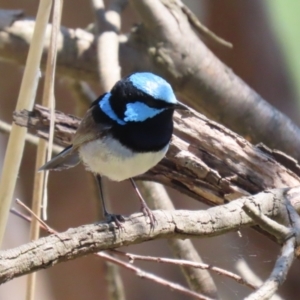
(26, 98)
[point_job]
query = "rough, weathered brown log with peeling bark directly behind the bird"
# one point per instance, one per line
(206, 161)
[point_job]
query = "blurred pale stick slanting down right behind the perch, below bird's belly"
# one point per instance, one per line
(198, 280)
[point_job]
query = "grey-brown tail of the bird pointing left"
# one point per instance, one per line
(66, 159)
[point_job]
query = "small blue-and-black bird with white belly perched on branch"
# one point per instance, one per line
(124, 133)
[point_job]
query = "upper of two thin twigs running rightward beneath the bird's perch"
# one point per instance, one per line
(182, 262)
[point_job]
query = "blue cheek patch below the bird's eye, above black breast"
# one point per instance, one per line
(139, 112)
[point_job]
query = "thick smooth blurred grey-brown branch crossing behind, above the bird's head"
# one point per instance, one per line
(170, 48)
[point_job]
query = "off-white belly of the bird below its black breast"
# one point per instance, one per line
(109, 158)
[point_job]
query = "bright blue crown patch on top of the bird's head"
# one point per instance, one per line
(154, 86)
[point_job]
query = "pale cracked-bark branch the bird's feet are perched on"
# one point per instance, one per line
(86, 239)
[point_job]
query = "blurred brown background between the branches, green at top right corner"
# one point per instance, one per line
(266, 40)
